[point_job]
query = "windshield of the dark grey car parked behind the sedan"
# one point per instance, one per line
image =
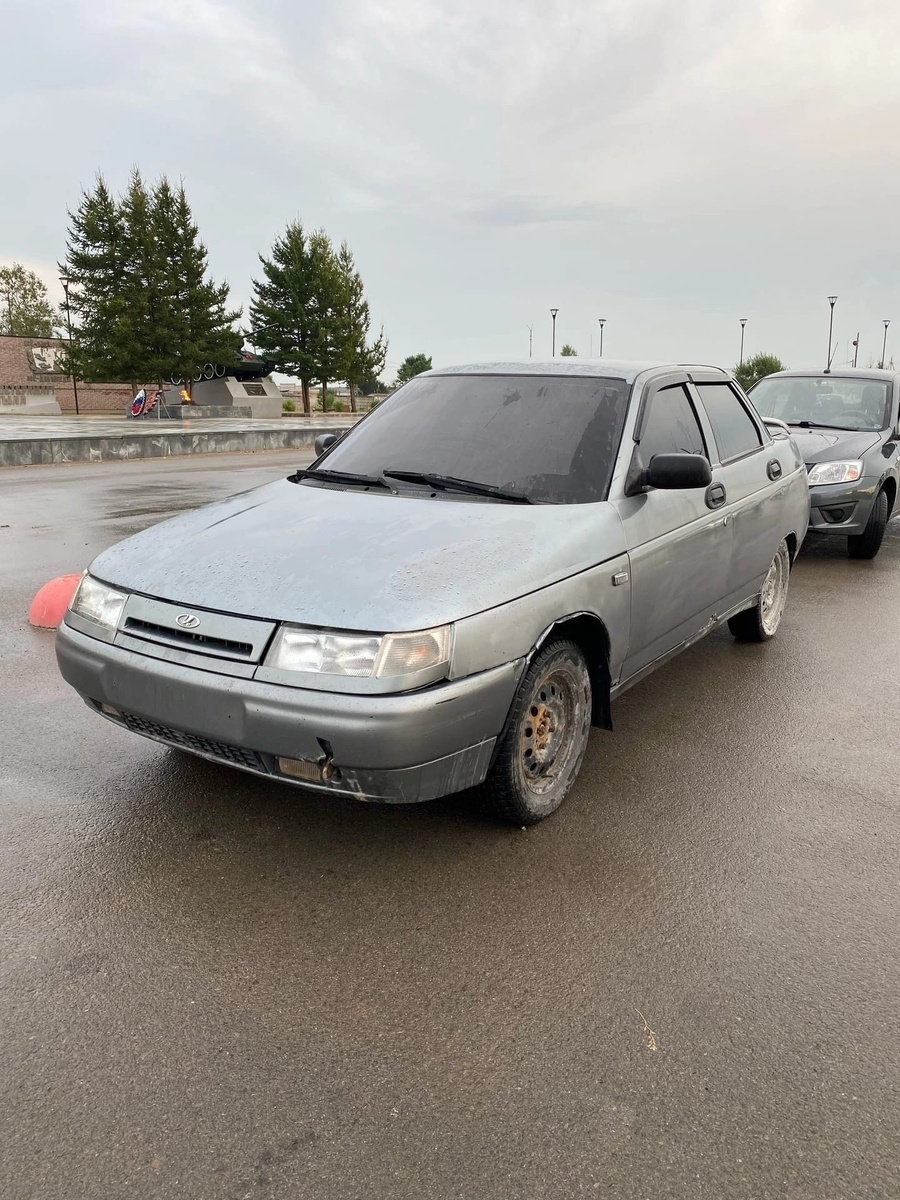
(825, 400)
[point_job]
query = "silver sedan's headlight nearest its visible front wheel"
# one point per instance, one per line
(361, 656)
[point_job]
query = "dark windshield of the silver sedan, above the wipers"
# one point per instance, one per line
(553, 440)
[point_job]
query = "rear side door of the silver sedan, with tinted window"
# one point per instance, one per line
(754, 479)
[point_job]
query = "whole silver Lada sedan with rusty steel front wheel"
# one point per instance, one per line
(392, 627)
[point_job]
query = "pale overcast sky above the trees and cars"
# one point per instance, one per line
(669, 165)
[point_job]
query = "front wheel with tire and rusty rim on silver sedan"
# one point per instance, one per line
(547, 736)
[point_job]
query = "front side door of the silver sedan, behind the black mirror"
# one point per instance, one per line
(679, 542)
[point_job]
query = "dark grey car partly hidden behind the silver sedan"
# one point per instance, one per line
(847, 425)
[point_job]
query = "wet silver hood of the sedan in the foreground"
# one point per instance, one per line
(351, 560)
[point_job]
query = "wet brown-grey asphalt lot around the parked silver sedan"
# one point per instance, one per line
(217, 988)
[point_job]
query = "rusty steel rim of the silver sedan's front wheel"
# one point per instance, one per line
(554, 729)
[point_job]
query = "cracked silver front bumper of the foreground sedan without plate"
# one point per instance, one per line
(401, 749)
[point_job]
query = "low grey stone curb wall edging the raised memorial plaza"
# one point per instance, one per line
(44, 452)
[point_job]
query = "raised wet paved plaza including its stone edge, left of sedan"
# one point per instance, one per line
(33, 441)
